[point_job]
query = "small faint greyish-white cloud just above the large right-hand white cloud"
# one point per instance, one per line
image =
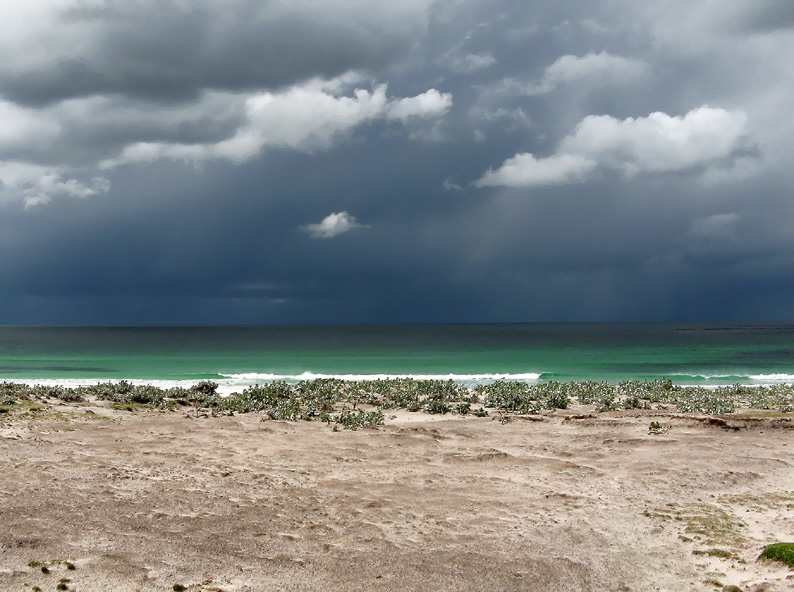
(594, 67)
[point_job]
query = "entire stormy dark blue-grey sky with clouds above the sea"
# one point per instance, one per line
(273, 161)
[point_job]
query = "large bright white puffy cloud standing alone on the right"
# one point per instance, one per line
(657, 143)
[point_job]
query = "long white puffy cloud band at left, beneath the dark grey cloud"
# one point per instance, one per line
(103, 132)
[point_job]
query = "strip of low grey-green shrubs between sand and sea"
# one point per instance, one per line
(351, 405)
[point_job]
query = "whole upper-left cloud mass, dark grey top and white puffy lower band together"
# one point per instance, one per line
(87, 85)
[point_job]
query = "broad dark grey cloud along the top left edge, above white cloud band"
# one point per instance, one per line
(167, 51)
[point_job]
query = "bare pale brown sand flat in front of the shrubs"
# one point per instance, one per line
(141, 501)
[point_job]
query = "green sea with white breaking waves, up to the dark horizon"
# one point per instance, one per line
(236, 357)
